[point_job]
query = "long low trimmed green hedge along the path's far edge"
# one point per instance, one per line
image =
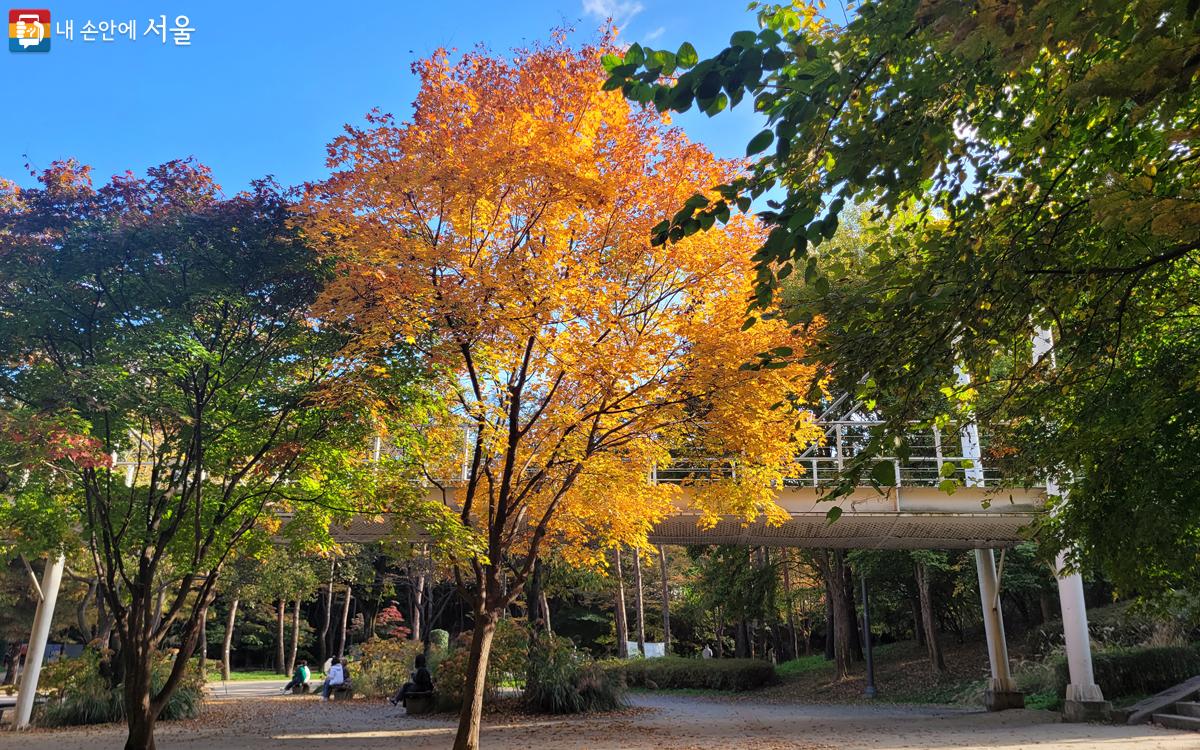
(677, 673)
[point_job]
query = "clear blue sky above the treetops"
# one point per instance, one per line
(267, 85)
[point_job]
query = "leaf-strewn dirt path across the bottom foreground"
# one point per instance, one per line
(655, 723)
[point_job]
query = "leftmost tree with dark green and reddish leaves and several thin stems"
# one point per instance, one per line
(172, 325)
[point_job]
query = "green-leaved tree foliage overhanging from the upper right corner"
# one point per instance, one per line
(1037, 166)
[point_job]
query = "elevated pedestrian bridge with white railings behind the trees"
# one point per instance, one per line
(913, 513)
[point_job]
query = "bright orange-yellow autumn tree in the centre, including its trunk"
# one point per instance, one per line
(506, 230)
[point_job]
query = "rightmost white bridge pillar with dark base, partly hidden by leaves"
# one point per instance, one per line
(1084, 700)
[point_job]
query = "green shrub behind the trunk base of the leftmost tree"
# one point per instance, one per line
(81, 694)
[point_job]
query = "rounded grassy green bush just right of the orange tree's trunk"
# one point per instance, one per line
(562, 681)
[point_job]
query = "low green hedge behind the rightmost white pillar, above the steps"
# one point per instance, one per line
(1141, 671)
